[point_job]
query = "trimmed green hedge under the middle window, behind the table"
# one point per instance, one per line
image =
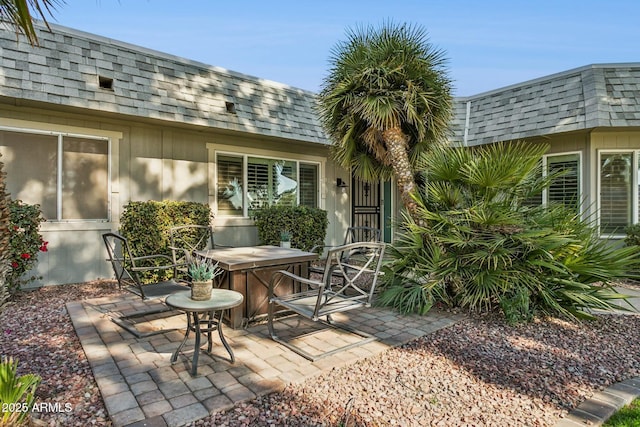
(307, 227)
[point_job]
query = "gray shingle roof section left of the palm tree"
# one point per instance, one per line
(64, 70)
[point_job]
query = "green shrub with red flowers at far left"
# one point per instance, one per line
(25, 242)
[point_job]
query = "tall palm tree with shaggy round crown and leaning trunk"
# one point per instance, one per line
(386, 99)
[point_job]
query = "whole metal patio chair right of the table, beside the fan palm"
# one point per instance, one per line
(317, 299)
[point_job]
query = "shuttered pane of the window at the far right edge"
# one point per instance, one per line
(615, 192)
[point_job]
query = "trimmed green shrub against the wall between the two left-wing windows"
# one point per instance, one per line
(146, 226)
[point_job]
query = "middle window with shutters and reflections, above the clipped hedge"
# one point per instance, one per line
(249, 183)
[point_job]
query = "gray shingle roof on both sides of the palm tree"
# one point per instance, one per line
(146, 83)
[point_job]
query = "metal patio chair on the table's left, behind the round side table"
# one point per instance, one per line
(127, 269)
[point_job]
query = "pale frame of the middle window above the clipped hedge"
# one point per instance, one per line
(272, 155)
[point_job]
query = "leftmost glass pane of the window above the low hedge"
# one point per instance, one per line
(230, 196)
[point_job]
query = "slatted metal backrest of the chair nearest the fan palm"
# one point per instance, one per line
(347, 283)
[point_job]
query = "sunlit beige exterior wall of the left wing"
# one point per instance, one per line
(157, 161)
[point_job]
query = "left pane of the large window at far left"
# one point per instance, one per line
(30, 161)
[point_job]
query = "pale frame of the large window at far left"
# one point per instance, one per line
(60, 134)
